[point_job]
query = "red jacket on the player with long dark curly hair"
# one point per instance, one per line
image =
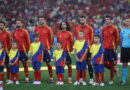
(67, 40)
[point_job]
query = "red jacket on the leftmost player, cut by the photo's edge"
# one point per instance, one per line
(5, 37)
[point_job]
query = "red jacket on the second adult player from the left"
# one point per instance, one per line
(21, 36)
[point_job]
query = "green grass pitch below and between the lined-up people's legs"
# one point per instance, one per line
(47, 86)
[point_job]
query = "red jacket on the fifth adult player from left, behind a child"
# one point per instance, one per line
(88, 33)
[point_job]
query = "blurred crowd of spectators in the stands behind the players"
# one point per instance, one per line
(56, 11)
